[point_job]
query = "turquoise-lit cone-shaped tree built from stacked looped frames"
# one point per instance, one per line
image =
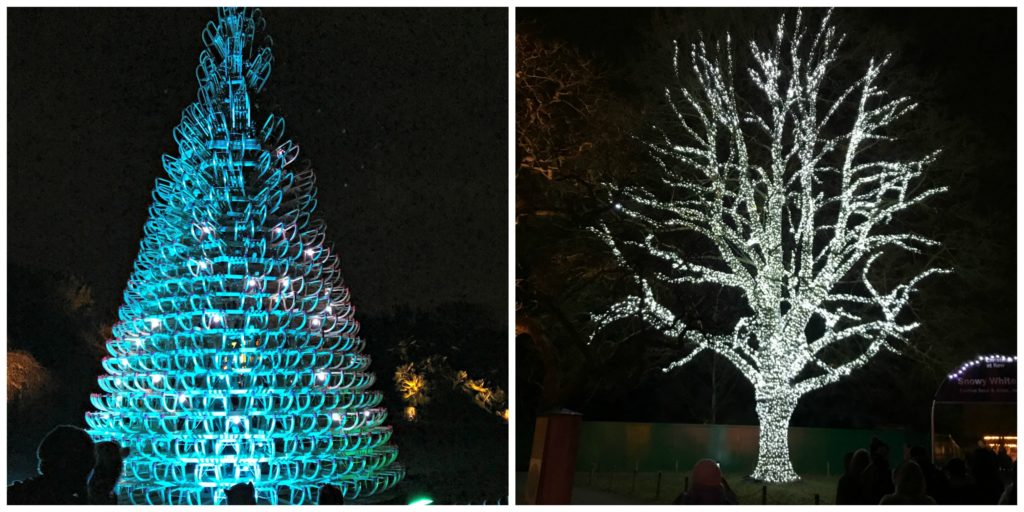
(237, 357)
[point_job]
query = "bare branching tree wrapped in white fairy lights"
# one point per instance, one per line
(785, 183)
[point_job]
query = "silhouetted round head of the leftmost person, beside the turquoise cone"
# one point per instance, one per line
(67, 455)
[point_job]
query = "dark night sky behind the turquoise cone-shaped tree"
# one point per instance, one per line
(403, 114)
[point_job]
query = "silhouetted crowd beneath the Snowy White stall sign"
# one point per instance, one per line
(979, 481)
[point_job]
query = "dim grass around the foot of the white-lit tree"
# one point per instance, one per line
(748, 493)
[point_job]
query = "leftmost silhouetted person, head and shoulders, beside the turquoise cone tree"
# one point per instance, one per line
(66, 459)
